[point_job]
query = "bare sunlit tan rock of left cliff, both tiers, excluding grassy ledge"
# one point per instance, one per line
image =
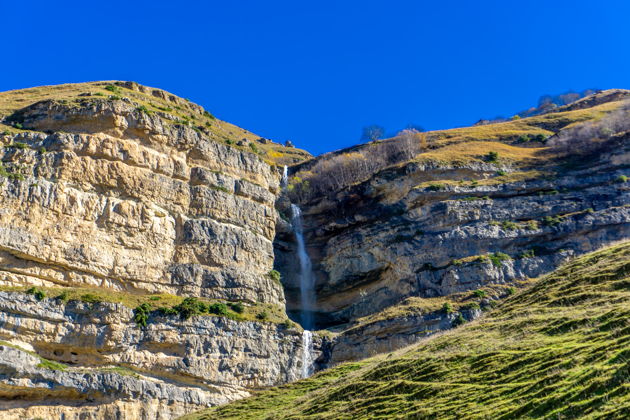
(101, 194)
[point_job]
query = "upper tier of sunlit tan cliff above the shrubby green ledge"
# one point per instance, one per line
(136, 204)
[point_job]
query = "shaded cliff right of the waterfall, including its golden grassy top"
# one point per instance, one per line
(458, 221)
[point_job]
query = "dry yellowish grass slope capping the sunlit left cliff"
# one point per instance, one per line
(173, 109)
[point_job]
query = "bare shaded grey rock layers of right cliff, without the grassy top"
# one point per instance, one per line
(379, 242)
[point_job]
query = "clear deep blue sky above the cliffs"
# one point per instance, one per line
(316, 72)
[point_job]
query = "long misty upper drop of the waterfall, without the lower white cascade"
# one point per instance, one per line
(307, 294)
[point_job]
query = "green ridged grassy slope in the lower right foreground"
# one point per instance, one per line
(559, 349)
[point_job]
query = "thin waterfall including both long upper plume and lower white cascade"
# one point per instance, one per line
(307, 293)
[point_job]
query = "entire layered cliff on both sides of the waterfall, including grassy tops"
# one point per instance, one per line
(148, 256)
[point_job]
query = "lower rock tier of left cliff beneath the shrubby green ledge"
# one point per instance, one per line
(170, 363)
